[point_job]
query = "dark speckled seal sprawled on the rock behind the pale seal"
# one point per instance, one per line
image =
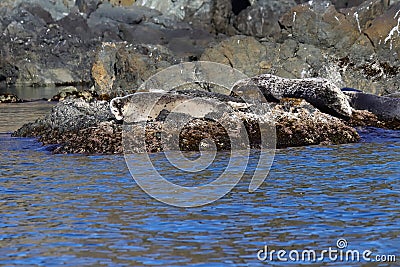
(321, 93)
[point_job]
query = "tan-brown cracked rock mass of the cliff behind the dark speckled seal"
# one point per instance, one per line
(319, 40)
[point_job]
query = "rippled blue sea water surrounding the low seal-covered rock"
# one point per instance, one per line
(75, 210)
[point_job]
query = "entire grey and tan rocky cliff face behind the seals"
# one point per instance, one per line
(115, 45)
